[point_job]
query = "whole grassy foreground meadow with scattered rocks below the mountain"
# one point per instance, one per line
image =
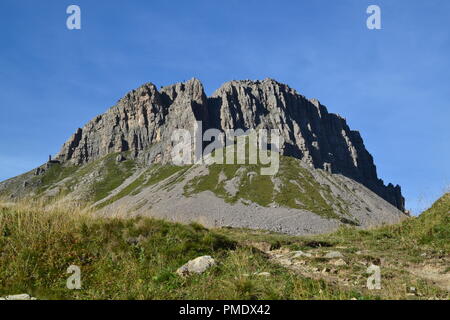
(137, 258)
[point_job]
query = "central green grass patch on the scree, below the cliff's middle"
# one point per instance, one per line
(298, 188)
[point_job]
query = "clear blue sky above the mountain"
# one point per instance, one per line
(391, 84)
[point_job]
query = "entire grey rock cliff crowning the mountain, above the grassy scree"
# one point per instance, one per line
(143, 121)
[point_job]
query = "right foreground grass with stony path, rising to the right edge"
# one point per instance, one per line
(412, 254)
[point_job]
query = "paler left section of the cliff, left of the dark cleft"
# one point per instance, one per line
(141, 122)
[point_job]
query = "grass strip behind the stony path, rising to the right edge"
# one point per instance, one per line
(430, 232)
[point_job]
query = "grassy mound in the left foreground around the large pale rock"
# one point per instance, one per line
(135, 259)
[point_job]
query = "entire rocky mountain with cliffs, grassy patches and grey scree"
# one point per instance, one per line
(121, 160)
